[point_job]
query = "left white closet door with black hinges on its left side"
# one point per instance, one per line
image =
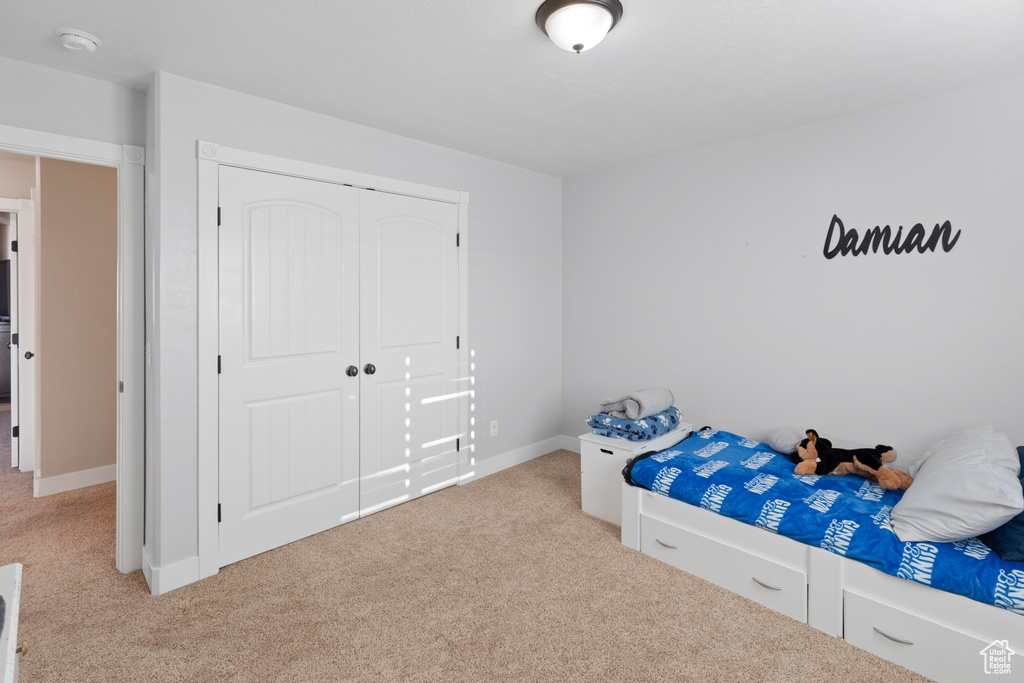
(289, 329)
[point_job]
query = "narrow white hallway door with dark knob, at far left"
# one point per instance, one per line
(24, 355)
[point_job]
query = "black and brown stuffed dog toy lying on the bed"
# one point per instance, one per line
(819, 457)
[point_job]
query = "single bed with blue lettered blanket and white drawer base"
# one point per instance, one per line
(946, 611)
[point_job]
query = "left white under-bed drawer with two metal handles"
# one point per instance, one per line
(776, 586)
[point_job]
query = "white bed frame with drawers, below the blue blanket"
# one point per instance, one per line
(945, 636)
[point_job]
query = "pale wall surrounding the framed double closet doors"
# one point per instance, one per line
(516, 279)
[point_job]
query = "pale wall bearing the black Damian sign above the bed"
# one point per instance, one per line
(704, 273)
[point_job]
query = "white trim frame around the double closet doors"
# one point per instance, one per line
(210, 157)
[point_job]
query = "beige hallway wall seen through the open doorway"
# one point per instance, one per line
(78, 322)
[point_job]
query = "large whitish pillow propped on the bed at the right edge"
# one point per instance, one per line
(967, 485)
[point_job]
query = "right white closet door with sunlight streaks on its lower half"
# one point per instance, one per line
(409, 323)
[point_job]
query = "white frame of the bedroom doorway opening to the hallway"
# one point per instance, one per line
(130, 161)
